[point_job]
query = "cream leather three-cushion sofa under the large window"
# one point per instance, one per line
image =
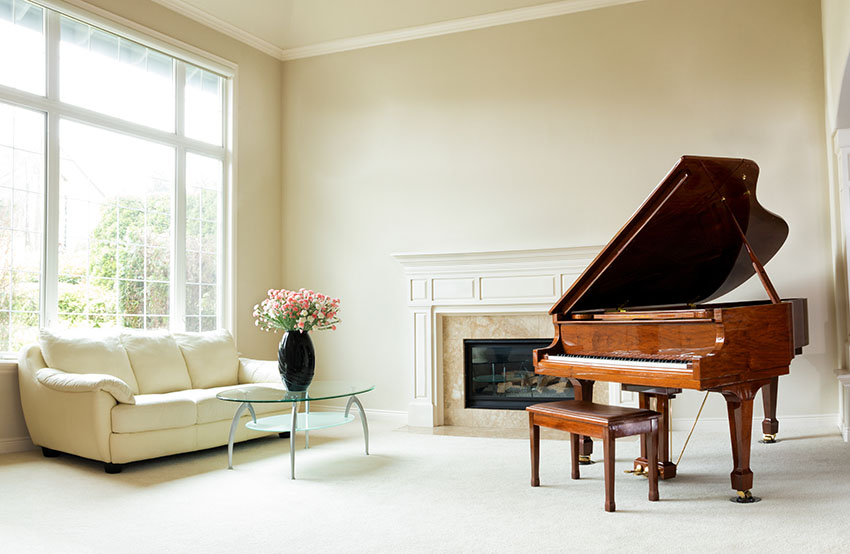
(123, 397)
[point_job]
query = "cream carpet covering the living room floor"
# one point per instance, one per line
(424, 493)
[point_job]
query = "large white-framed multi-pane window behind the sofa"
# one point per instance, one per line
(113, 181)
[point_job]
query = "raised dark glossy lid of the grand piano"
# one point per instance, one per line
(682, 245)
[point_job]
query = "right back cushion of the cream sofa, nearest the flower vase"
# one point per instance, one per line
(211, 357)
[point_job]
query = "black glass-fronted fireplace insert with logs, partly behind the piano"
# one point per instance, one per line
(499, 374)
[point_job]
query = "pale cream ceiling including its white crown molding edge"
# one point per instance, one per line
(290, 29)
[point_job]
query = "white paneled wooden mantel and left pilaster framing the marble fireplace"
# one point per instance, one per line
(475, 283)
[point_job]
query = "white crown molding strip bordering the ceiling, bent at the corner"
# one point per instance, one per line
(505, 17)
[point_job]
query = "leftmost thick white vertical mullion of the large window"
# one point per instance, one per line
(50, 259)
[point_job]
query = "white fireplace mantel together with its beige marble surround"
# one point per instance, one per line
(450, 294)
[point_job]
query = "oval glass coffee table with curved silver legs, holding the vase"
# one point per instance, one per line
(305, 421)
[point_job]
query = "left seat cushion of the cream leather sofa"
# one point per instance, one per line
(155, 411)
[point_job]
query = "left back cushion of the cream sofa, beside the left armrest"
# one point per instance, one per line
(88, 352)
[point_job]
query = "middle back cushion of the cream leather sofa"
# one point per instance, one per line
(157, 361)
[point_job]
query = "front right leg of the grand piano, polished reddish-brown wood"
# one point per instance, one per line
(739, 405)
